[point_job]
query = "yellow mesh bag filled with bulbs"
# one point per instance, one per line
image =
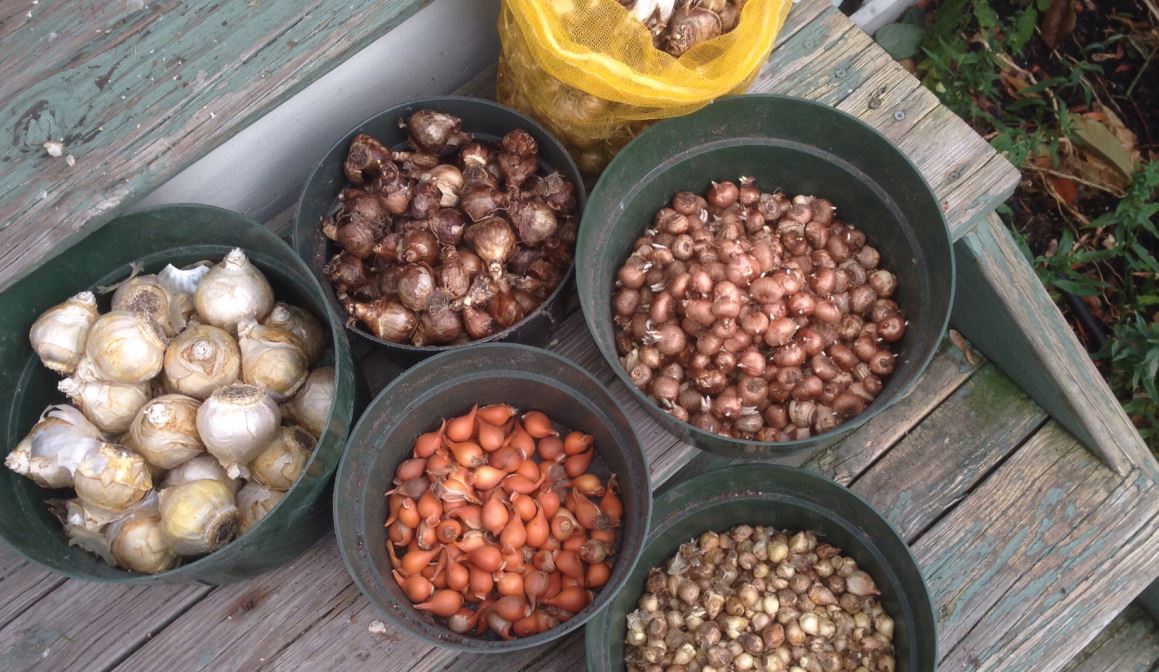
(588, 70)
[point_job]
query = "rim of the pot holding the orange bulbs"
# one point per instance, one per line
(344, 476)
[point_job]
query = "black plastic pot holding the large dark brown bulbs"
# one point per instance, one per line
(487, 121)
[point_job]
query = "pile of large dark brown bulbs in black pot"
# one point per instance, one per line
(453, 242)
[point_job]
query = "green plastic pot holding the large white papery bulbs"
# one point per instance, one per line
(178, 235)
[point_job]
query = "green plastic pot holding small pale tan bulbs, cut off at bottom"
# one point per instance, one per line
(784, 499)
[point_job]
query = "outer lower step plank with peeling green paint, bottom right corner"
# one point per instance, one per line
(1017, 527)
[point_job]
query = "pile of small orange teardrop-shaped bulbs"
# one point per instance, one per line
(498, 523)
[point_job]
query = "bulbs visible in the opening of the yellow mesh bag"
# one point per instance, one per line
(677, 26)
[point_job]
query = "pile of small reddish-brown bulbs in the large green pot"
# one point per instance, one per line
(754, 316)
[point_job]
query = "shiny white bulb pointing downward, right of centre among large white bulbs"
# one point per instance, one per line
(236, 425)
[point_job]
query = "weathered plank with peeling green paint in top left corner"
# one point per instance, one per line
(137, 92)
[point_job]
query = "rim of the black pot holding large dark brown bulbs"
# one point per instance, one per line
(543, 310)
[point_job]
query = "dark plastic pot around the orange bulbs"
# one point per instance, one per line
(447, 386)
